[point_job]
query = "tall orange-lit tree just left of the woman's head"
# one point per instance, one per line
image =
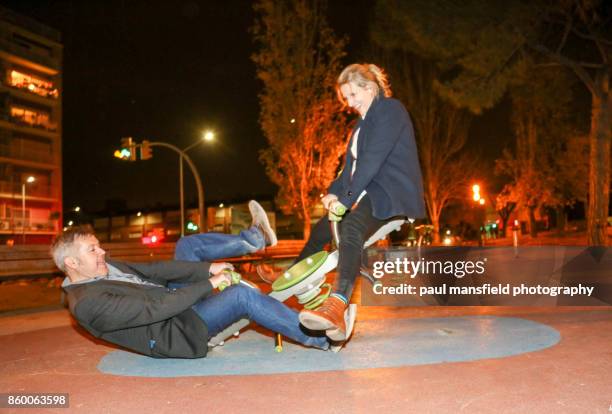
(298, 60)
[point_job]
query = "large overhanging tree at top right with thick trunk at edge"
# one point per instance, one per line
(485, 45)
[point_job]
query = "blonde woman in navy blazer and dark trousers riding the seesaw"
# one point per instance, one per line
(381, 180)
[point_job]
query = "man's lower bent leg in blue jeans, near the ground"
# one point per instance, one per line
(236, 302)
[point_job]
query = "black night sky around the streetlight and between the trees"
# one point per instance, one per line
(166, 71)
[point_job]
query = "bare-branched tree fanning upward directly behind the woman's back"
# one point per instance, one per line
(441, 132)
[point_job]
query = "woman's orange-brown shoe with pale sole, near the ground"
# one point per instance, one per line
(328, 316)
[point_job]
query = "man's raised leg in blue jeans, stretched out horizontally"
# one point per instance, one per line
(206, 247)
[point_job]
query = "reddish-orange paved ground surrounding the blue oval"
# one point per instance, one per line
(43, 352)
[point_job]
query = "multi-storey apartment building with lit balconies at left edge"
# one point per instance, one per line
(30, 130)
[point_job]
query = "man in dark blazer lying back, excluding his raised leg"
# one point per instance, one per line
(132, 305)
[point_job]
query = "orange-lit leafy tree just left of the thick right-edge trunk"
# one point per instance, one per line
(541, 120)
